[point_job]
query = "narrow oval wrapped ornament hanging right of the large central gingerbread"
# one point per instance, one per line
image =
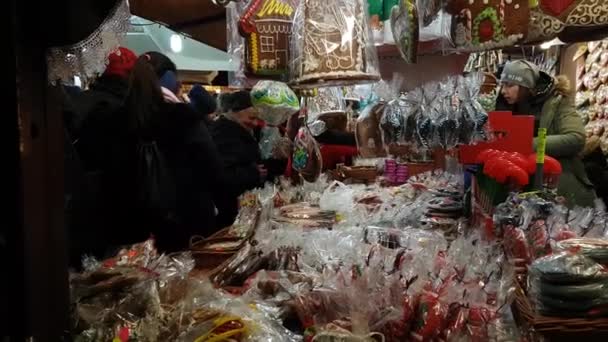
(405, 28)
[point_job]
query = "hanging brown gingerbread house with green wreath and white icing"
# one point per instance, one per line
(488, 24)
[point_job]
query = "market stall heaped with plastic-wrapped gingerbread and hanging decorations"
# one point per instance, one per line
(441, 223)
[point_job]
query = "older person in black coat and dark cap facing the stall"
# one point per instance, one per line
(233, 134)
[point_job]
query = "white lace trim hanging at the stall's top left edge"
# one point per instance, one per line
(89, 58)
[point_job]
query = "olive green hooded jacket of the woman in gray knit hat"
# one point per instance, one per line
(553, 109)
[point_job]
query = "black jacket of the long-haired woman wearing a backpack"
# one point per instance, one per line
(108, 146)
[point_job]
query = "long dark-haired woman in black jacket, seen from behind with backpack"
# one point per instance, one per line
(181, 143)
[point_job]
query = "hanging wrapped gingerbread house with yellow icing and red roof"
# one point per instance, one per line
(266, 27)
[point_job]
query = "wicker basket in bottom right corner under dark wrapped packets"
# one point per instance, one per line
(557, 328)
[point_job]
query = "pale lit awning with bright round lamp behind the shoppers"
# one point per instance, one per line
(188, 54)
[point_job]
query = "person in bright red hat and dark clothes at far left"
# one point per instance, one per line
(82, 111)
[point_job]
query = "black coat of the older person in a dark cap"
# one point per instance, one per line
(240, 156)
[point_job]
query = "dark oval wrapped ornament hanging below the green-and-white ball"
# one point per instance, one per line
(307, 156)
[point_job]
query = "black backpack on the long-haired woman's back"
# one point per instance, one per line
(155, 181)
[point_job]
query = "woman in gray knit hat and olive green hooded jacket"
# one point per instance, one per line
(528, 90)
